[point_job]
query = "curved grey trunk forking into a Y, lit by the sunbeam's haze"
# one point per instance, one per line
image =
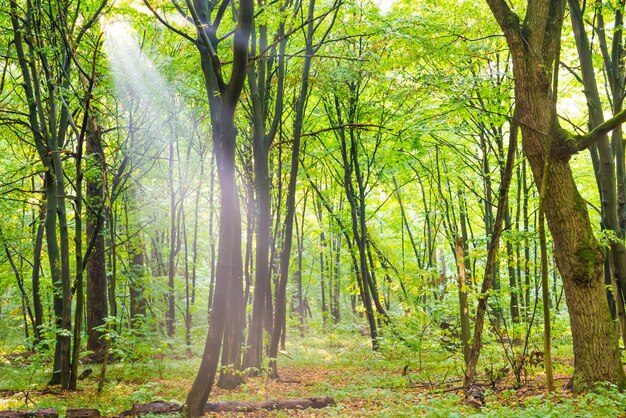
(229, 268)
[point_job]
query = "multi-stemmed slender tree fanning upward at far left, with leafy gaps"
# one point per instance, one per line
(46, 42)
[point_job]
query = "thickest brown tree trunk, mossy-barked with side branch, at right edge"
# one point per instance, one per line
(534, 45)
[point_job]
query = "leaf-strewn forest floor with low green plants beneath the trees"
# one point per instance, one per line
(364, 384)
